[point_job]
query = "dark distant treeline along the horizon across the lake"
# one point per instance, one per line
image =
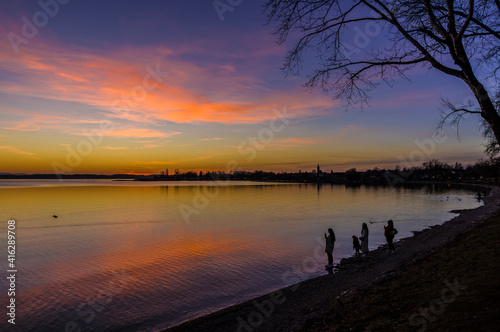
(484, 171)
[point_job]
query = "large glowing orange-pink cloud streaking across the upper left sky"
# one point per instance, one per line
(133, 84)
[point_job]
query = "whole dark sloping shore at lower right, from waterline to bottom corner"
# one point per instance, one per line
(414, 288)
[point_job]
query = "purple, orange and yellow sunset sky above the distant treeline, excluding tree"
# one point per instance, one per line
(122, 86)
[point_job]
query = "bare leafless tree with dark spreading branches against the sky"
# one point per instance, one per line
(453, 36)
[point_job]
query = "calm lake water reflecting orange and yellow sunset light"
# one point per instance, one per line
(122, 256)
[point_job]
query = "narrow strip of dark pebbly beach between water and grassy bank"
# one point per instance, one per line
(306, 301)
